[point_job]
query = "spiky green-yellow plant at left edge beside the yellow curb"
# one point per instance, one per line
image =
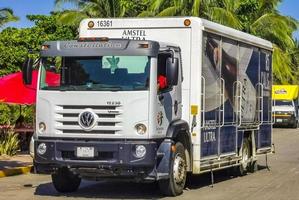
(9, 143)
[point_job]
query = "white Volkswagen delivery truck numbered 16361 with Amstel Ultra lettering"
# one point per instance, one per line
(151, 100)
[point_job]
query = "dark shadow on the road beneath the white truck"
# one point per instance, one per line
(128, 190)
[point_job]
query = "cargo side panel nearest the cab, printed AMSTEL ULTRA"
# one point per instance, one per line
(211, 74)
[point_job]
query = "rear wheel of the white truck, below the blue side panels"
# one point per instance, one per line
(245, 163)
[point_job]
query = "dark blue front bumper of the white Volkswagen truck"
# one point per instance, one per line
(111, 158)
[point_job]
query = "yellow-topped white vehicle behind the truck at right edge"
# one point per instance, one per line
(285, 109)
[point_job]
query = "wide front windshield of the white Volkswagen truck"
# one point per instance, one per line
(103, 73)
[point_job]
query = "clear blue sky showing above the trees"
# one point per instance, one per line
(23, 7)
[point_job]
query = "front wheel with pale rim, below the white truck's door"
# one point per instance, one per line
(174, 186)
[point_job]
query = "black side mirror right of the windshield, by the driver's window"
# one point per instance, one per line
(172, 71)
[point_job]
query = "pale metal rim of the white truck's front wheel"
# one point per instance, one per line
(179, 169)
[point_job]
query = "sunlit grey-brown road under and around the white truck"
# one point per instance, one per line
(280, 183)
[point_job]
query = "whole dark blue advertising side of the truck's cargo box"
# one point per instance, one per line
(237, 95)
